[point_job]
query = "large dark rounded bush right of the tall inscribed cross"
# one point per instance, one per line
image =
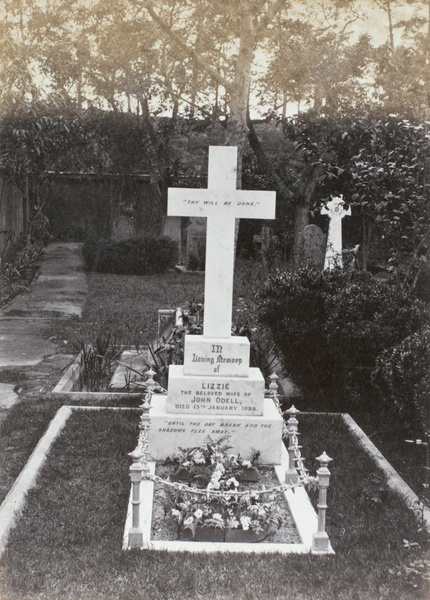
(330, 327)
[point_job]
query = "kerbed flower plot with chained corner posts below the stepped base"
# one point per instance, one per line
(224, 521)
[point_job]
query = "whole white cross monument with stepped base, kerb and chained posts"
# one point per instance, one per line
(215, 394)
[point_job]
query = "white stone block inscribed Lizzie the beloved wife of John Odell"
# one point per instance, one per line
(232, 395)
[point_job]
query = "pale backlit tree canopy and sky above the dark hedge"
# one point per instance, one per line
(201, 57)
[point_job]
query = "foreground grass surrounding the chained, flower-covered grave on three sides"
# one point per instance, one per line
(68, 542)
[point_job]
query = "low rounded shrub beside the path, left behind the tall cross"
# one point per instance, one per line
(131, 257)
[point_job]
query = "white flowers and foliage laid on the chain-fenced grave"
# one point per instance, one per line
(224, 506)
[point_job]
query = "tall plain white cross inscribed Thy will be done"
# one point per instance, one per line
(221, 203)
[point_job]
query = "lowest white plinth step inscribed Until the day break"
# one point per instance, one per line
(169, 432)
